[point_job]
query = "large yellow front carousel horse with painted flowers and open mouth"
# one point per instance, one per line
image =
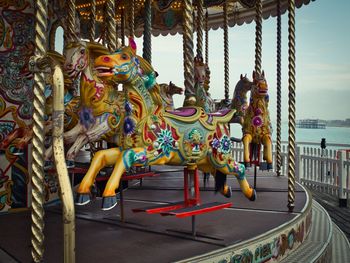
(151, 136)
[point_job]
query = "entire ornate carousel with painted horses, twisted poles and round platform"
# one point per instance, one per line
(98, 164)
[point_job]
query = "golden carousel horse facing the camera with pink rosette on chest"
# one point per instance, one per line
(256, 125)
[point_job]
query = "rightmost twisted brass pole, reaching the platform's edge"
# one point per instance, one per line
(291, 104)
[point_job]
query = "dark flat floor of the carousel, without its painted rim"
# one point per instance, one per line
(101, 237)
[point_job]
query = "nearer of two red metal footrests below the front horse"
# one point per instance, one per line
(197, 209)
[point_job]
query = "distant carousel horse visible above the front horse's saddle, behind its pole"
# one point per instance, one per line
(201, 85)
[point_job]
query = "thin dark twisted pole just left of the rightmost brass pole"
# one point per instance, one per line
(278, 139)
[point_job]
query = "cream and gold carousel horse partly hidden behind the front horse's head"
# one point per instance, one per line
(98, 104)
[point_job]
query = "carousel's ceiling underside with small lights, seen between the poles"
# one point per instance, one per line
(167, 14)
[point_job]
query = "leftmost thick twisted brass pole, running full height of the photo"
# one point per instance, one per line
(38, 134)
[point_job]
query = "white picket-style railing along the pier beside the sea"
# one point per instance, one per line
(325, 170)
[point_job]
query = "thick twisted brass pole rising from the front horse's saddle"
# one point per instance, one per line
(187, 29)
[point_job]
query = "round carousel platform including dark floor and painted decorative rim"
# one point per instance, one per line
(247, 231)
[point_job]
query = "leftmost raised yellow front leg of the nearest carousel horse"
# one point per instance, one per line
(101, 159)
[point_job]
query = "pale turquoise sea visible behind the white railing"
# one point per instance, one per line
(333, 135)
